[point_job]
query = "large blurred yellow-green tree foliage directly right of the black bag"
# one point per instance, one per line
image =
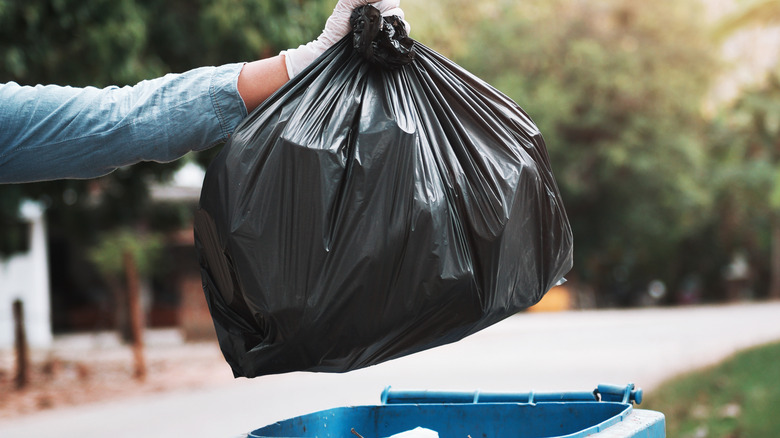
(617, 96)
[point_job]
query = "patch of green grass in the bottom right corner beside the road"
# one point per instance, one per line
(738, 398)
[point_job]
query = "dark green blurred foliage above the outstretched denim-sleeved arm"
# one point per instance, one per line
(119, 42)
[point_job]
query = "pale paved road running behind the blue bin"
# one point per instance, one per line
(542, 352)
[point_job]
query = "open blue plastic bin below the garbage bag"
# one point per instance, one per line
(605, 413)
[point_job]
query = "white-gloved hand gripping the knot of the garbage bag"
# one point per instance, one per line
(336, 28)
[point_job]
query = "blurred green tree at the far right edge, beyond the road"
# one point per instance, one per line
(749, 178)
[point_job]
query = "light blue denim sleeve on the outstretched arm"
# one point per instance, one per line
(53, 132)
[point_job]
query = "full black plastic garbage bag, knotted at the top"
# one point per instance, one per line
(366, 212)
